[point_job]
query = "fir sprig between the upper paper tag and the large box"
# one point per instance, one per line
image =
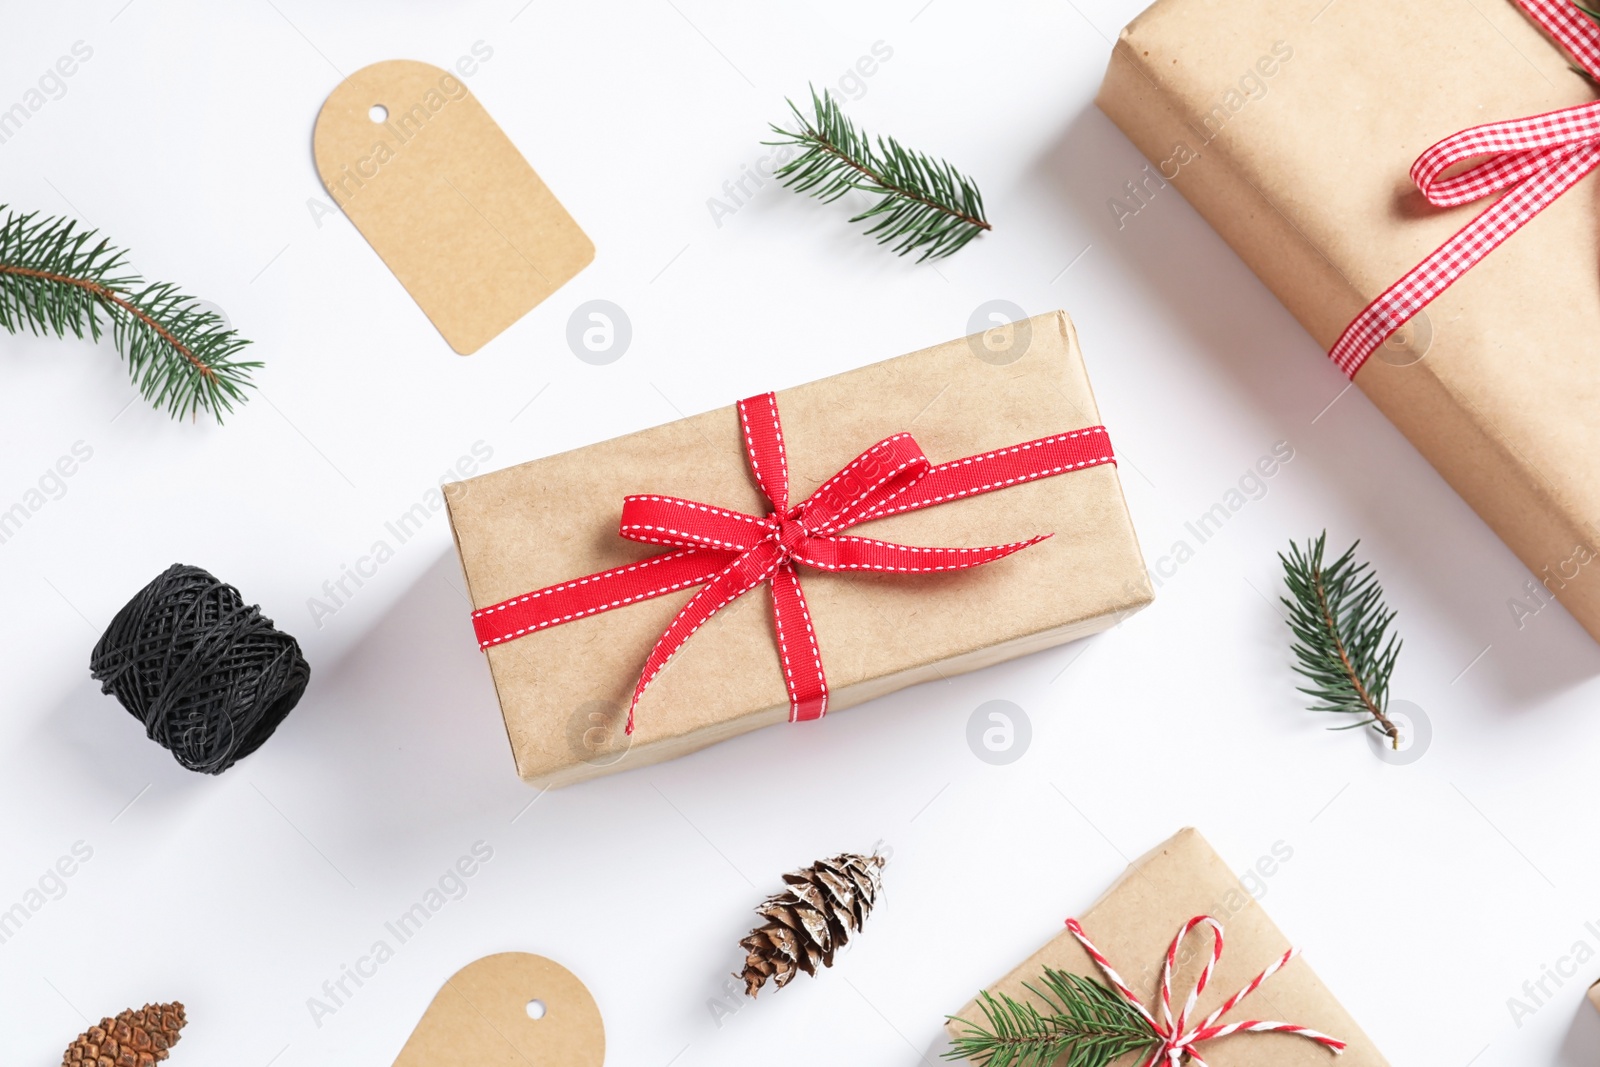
(922, 204)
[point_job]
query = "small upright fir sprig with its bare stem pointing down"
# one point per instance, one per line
(1342, 636)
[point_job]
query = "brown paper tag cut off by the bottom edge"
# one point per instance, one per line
(486, 1018)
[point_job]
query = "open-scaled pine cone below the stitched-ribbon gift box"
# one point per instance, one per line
(810, 921)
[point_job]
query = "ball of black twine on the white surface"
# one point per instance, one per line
(207, 674)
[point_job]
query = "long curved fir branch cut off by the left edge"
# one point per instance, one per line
(57, 279)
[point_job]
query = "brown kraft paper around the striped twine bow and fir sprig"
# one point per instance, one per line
(1134, 925)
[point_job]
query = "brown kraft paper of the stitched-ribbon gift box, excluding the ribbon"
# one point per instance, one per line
(566, 690)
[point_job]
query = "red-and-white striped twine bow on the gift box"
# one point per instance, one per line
(1178, 1039)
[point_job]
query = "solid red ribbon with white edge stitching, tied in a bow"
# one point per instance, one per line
(729, 554)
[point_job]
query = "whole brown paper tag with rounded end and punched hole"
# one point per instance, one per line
(444, 196)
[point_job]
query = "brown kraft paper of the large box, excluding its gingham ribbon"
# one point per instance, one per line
(1292, 127)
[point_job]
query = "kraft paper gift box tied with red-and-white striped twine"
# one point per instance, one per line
(1156, 940)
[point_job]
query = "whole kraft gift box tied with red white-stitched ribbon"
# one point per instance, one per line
(799, 553)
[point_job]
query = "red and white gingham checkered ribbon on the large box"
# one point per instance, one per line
(1537, 159)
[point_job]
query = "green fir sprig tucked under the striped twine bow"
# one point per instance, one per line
(1084, 1021)
